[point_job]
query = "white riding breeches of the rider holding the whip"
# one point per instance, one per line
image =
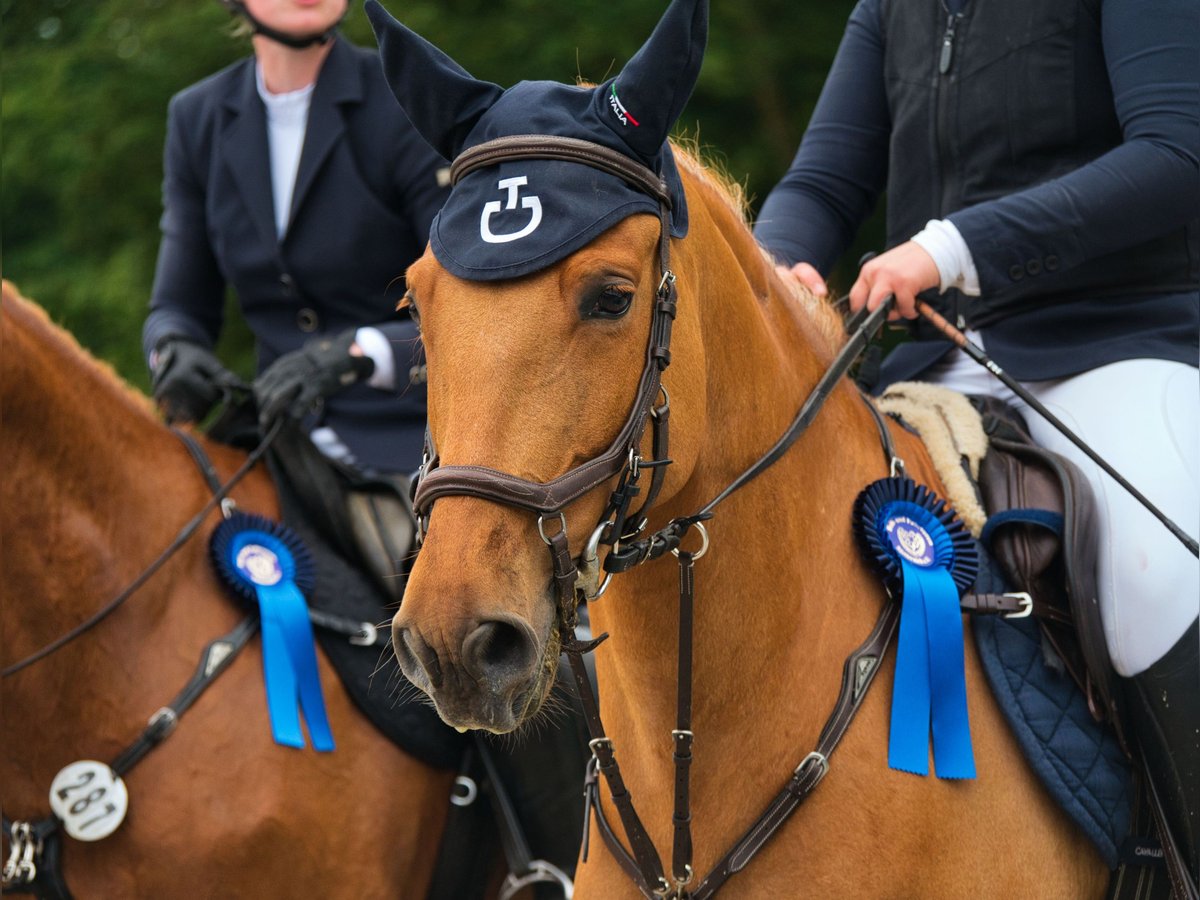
(1142, 417)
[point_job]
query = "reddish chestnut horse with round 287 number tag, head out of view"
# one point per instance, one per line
(94, 488)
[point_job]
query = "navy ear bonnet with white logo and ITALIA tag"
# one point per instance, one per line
(523, 215)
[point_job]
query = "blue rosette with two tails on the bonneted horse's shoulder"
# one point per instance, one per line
(928, 557)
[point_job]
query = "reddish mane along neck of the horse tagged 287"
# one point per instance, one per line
(23, 314)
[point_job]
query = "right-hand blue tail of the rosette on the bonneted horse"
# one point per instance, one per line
(953, 755)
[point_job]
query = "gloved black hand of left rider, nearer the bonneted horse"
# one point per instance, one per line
(295, 383)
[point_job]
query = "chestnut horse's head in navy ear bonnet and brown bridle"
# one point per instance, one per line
(539, 302)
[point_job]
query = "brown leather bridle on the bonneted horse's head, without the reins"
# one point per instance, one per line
(623, 457)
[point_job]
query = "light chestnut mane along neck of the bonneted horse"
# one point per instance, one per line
(731, 194)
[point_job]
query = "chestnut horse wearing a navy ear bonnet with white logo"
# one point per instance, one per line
(532, 377)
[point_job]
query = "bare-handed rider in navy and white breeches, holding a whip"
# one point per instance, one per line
(1042, 166)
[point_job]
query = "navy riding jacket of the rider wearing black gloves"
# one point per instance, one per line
(367, 190)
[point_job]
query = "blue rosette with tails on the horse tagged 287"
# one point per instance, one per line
(267, 565)
